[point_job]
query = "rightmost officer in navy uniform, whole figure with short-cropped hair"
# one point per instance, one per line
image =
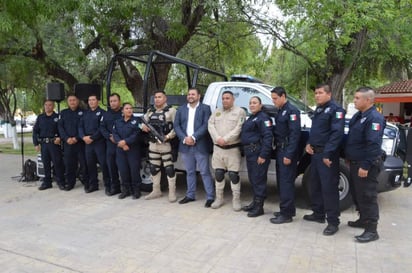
(363, 150)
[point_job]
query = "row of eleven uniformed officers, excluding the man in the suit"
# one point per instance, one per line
(111, 139)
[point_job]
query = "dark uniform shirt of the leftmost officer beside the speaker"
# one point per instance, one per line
(45, 127)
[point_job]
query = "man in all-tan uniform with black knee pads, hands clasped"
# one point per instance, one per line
(224, 127)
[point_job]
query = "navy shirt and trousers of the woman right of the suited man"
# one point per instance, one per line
(256, 137)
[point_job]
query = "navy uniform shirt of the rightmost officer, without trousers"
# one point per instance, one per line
(365, 137)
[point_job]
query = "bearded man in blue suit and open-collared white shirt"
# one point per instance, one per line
(195, 144)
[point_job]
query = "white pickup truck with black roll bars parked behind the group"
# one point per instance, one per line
(244, 87)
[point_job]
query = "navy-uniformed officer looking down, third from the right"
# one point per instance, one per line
(286, 138)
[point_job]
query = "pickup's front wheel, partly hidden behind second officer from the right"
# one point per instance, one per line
(345, 199)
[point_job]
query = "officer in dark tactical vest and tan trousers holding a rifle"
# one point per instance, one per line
(161, 116)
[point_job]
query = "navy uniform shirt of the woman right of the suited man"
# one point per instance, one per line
(258, 129)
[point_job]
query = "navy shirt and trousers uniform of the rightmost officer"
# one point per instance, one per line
(363, 150)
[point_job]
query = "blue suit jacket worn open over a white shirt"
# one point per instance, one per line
(203, 140)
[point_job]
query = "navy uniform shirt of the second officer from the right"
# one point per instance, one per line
(328, 126)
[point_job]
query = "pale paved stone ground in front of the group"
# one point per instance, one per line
(56, 231)
